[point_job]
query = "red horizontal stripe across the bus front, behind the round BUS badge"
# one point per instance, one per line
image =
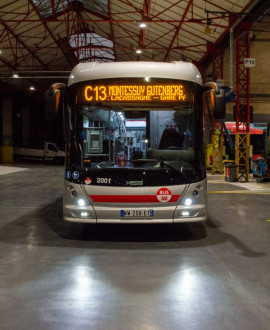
(129, 198)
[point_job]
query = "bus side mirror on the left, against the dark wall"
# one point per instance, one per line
(53, 98)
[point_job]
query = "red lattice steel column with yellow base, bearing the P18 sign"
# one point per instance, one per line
(242, 138)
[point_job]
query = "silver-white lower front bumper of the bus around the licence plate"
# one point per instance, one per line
(111, 213)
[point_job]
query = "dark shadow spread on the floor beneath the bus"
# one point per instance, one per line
(45, 227)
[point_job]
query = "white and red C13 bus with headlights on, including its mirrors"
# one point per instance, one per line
(134, 142)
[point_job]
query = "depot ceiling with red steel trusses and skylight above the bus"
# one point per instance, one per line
(41, 40)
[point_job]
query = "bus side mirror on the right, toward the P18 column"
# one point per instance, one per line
(215, 100)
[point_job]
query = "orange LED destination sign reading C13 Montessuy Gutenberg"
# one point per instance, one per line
(133, 93)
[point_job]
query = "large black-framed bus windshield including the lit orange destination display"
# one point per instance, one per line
(126, 140)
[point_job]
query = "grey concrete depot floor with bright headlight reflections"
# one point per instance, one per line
(57, 275)
